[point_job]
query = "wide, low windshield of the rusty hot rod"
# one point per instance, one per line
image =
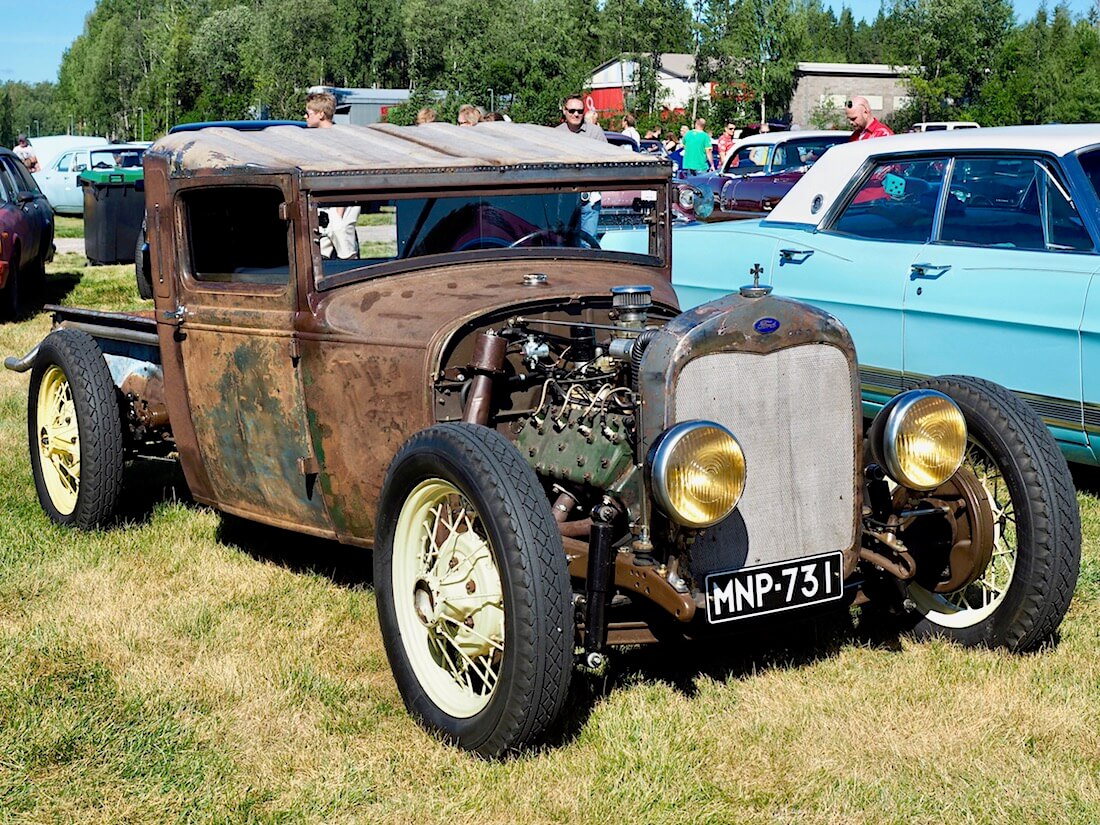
(357, 237)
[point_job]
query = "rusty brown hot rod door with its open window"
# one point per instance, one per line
(237, 303)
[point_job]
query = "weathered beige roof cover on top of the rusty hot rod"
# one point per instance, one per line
(384, 149)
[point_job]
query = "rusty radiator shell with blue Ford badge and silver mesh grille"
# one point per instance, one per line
(788, 389)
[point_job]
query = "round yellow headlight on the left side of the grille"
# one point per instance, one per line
(698, 474)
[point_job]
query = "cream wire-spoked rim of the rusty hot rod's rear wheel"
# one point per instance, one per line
(59, 441)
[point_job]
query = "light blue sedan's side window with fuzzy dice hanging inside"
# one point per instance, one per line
(897, 202)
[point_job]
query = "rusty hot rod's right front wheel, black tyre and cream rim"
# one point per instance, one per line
(1020, 598)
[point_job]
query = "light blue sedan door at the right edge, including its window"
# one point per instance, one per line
(1002, 292)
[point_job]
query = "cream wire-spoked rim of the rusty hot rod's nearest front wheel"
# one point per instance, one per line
(448, 598)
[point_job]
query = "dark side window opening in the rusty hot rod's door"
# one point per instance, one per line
(237, 237)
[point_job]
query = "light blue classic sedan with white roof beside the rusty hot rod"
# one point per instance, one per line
(967, 252)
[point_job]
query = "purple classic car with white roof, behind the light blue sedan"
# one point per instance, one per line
(758, 172)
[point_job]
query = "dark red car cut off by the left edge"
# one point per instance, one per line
(27, 234)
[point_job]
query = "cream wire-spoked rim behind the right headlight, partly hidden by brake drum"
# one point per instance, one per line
(977, 601)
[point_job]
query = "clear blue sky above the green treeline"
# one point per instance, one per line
(35, 37)
